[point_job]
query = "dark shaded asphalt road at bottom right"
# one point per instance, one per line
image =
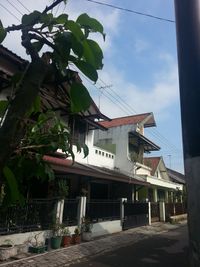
(167, 249)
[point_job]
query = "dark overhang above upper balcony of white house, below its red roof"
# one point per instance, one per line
(142, 140)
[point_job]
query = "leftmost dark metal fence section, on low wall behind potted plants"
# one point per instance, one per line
(34, 215)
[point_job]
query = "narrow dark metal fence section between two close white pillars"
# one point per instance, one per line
(70, 212)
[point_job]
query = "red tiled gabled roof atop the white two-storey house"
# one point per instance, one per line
(134, 119)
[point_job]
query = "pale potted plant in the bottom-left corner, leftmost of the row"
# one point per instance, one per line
(7, 250)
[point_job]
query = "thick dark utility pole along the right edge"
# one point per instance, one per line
(188, 46)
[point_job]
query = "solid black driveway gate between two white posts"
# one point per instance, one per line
(135, 214)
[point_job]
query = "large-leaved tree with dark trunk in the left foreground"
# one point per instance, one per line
(24, 138)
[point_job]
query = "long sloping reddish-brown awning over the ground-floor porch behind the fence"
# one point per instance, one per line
(67, 166)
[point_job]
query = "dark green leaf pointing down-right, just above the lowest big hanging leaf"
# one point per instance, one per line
(87, 69)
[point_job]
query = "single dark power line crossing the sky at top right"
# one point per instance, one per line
(131, 11)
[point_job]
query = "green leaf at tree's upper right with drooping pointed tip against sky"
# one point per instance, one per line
(90, 23)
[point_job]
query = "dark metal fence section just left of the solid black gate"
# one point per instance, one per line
(103, 210)
